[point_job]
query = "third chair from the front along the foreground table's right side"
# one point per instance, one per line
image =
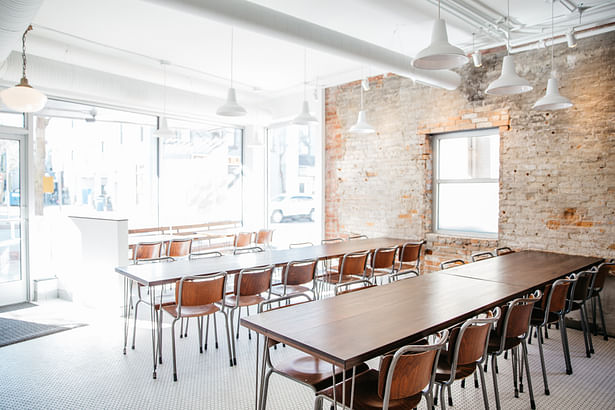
(512, 331)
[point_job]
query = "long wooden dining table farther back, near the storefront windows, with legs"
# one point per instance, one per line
(154, 275)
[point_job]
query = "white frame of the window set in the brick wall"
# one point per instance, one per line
(436, 181)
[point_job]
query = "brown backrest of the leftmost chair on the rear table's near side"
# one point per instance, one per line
(201, 291)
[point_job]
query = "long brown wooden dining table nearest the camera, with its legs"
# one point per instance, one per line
(349, 329)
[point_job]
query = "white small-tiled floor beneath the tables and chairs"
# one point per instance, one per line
(84, 368)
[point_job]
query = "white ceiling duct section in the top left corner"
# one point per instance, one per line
(15, 17)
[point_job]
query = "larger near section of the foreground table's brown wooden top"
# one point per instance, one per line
(354, 327)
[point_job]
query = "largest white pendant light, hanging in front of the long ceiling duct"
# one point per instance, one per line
(440, 55)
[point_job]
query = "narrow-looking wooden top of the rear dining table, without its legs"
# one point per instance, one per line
(153, 274)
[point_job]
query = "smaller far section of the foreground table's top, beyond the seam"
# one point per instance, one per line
(528, 268)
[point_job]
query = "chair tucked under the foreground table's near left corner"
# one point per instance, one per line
(297, 366)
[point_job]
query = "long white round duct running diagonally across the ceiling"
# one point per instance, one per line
(278, 25)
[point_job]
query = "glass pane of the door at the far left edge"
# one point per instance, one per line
(13, 277)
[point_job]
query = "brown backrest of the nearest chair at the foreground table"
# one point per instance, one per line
(411, 374)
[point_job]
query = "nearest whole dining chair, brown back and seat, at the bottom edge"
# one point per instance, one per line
(404, 377)
